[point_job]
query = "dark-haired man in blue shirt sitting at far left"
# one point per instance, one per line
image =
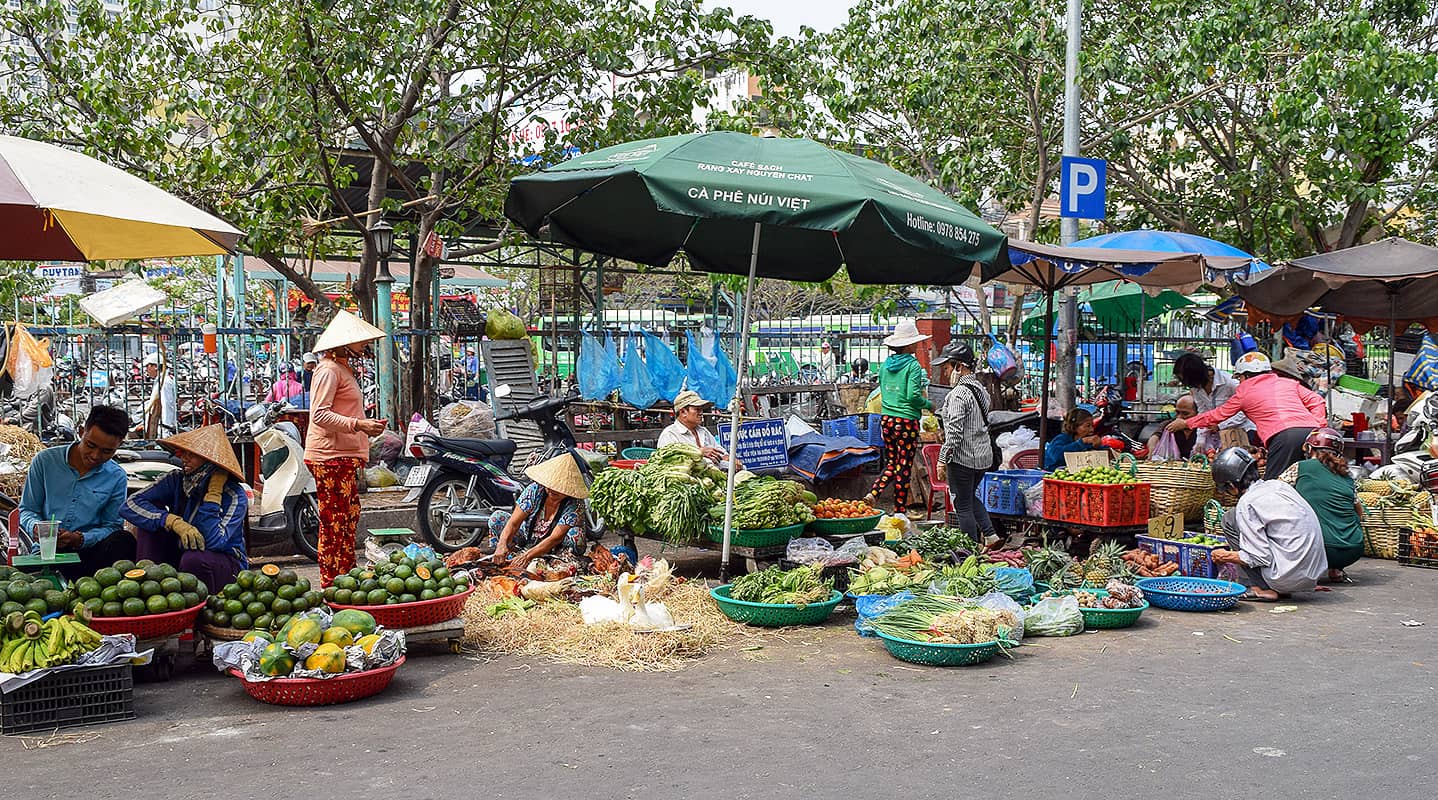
(80, 487)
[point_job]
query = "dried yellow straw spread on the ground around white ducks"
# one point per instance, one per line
(559, 632)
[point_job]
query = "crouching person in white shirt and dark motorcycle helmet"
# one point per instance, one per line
(1275, 539)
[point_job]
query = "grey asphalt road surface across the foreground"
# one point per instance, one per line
(1332, 700)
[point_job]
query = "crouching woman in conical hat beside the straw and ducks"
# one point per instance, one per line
(547, 516)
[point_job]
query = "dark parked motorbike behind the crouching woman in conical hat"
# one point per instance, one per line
(462, 483)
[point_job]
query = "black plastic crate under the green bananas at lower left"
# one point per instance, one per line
(65, 700)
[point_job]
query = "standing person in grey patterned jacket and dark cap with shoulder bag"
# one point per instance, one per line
(967, 453)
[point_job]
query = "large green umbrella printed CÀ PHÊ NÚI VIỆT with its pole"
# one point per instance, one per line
(773, 208)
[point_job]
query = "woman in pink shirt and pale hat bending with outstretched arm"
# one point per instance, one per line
(1282, 409)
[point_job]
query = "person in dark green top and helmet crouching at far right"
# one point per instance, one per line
(1324, 480)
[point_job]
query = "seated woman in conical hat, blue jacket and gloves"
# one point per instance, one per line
(195, 519)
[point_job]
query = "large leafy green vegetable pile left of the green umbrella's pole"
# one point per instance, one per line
(669, 496)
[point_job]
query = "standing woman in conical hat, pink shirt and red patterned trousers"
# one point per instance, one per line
(337, 445)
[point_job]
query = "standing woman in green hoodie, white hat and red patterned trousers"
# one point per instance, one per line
(905, 391)
